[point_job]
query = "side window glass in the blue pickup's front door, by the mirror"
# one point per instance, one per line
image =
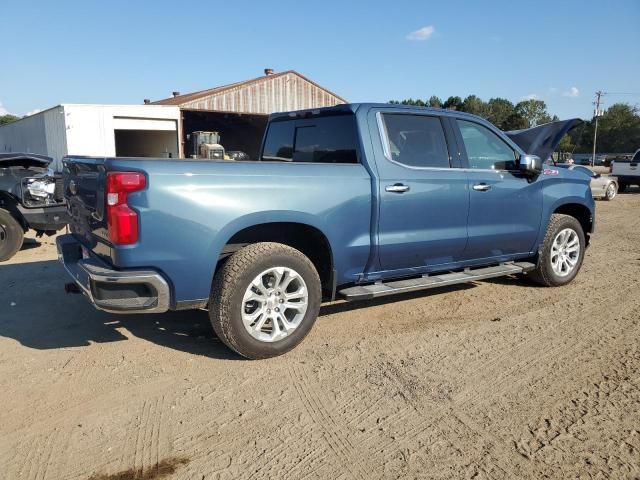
(485, 149)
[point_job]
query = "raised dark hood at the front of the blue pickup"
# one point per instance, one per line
(544, 139)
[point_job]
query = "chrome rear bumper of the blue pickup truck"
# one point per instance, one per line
(115, 291)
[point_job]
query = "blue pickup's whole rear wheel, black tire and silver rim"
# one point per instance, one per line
(264, 300)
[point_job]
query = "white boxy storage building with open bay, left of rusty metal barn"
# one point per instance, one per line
(97, 130)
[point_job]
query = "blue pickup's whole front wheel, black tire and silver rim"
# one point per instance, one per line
(562, 252)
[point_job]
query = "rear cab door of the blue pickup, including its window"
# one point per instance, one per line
(424, 202)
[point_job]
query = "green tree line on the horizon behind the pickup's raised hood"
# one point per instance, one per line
(618, 127)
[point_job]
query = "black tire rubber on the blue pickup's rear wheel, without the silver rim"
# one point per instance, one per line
(230, 284)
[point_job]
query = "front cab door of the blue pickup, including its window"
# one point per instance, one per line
(505, 207)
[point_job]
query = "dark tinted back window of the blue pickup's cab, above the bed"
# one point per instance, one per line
(317, 140)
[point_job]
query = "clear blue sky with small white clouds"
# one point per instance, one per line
(124, 51)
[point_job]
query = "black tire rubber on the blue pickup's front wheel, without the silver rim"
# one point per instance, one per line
(544, 274)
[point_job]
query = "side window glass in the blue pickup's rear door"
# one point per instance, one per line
(416, 140)
